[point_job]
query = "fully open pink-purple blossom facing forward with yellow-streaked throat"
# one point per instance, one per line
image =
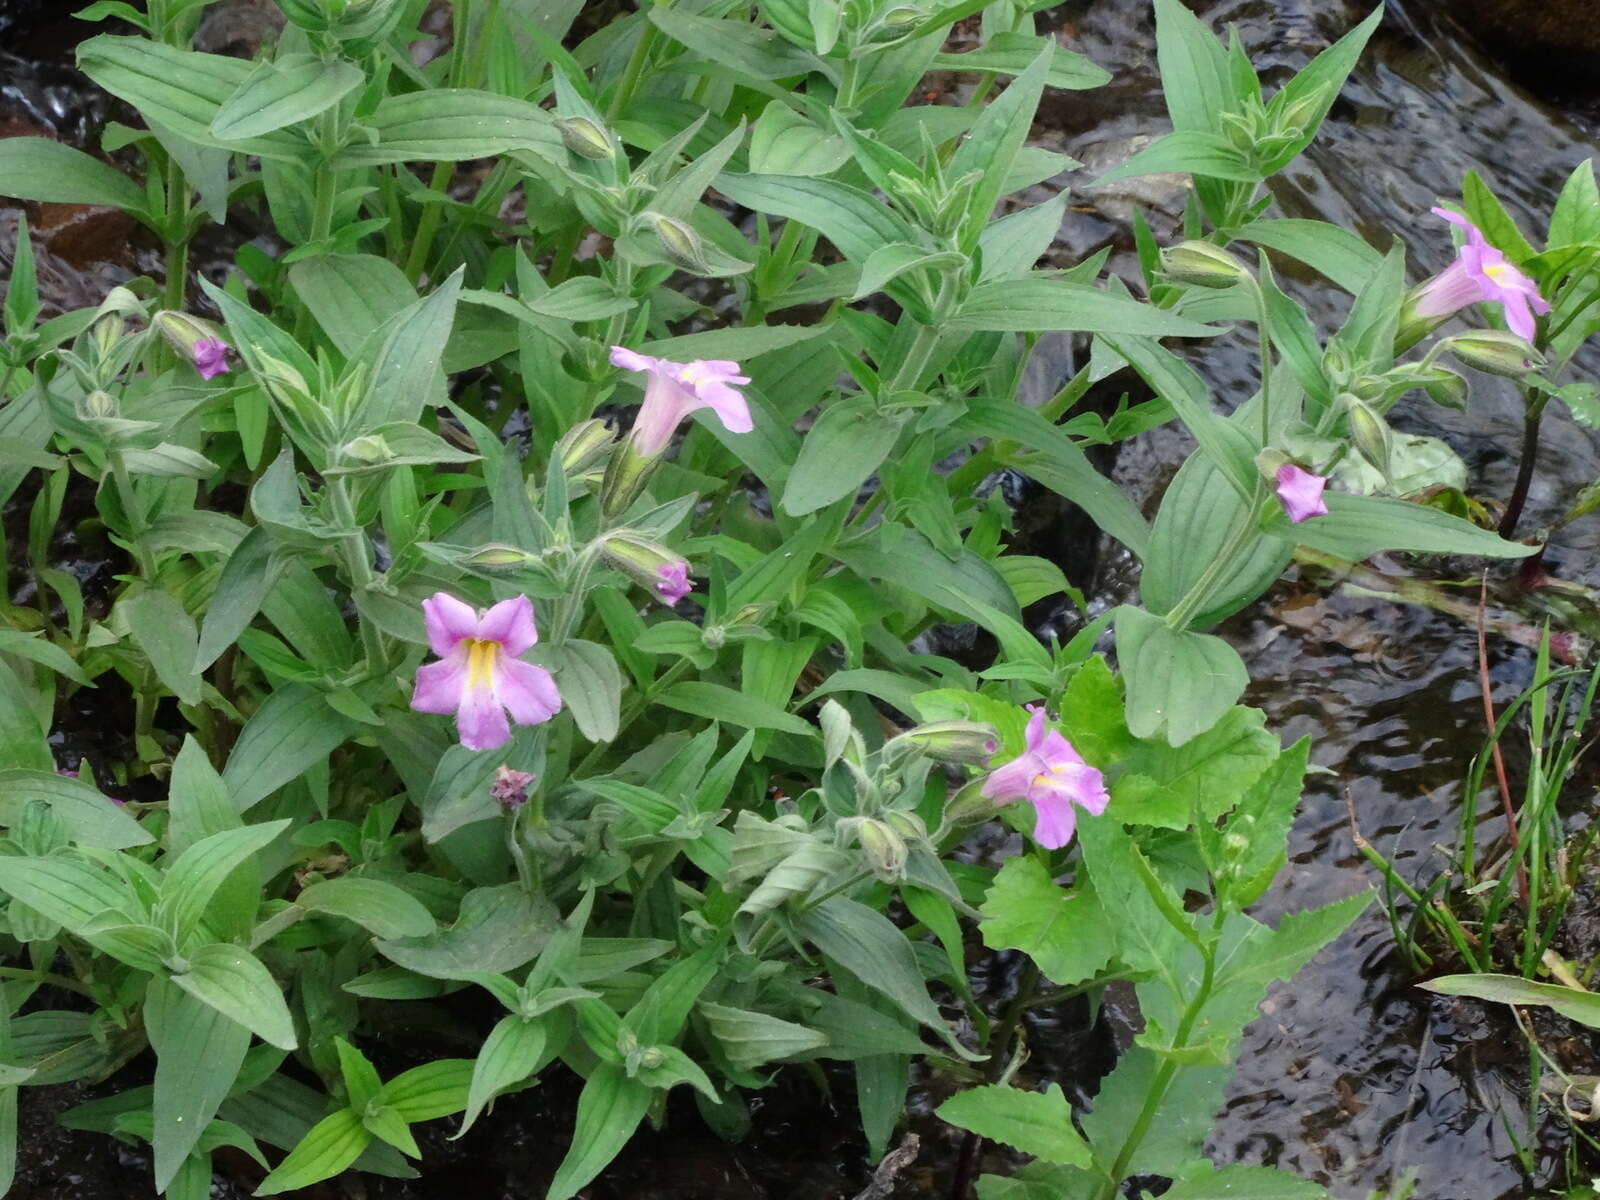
(479, 674)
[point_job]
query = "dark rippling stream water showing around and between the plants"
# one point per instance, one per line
(1351, 1076)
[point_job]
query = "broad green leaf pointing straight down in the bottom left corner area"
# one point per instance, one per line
(198, 1058)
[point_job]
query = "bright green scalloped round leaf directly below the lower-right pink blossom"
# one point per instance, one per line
(1068, 935)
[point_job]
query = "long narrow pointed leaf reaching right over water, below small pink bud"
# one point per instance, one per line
(1358, 527)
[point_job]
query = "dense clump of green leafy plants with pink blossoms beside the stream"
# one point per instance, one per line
(455, 670)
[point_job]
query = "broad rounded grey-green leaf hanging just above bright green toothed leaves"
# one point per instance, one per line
(1180, 682)
